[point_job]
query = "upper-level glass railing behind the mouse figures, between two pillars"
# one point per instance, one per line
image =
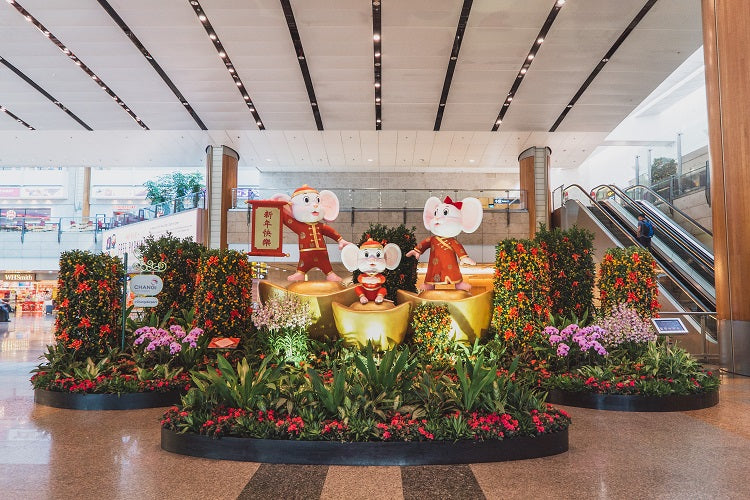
(397, 199)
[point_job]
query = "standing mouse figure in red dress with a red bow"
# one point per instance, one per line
(446, 220)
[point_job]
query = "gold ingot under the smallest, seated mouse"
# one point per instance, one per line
(384, 324)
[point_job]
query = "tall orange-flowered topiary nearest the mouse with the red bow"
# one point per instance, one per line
(522, 302)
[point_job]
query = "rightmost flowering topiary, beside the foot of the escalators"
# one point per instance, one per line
(628, 275)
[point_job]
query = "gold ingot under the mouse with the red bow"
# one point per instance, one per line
(470, 314)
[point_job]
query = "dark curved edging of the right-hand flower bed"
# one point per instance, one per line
(627, 402)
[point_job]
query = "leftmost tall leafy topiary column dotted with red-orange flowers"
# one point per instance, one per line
(89, 297)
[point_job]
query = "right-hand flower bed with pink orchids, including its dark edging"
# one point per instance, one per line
(620, 364)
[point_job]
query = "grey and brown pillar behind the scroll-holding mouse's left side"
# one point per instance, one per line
(221, 178)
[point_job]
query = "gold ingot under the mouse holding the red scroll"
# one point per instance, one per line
(320, 295)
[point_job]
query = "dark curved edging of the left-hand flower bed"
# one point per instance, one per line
(124, 401)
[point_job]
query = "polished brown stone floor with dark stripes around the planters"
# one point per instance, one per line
(48, 453)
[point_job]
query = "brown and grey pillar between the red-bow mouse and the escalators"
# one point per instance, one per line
(533, 166)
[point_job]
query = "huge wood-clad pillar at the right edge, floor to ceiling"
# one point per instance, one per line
(725, 42)
